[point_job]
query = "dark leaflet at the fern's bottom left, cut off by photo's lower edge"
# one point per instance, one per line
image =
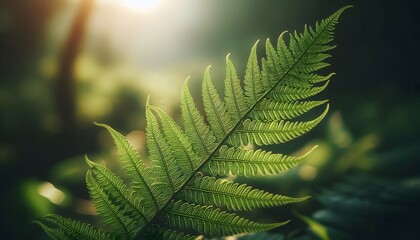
(61, 228)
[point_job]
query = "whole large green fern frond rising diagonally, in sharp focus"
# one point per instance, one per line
(180, 195)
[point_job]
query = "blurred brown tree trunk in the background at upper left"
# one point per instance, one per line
(65, 93)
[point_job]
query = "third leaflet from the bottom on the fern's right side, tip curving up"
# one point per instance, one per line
(242, 162)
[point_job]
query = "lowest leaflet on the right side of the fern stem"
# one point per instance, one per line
(211, 221)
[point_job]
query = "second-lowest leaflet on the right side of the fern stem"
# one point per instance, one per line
(206, 190)
